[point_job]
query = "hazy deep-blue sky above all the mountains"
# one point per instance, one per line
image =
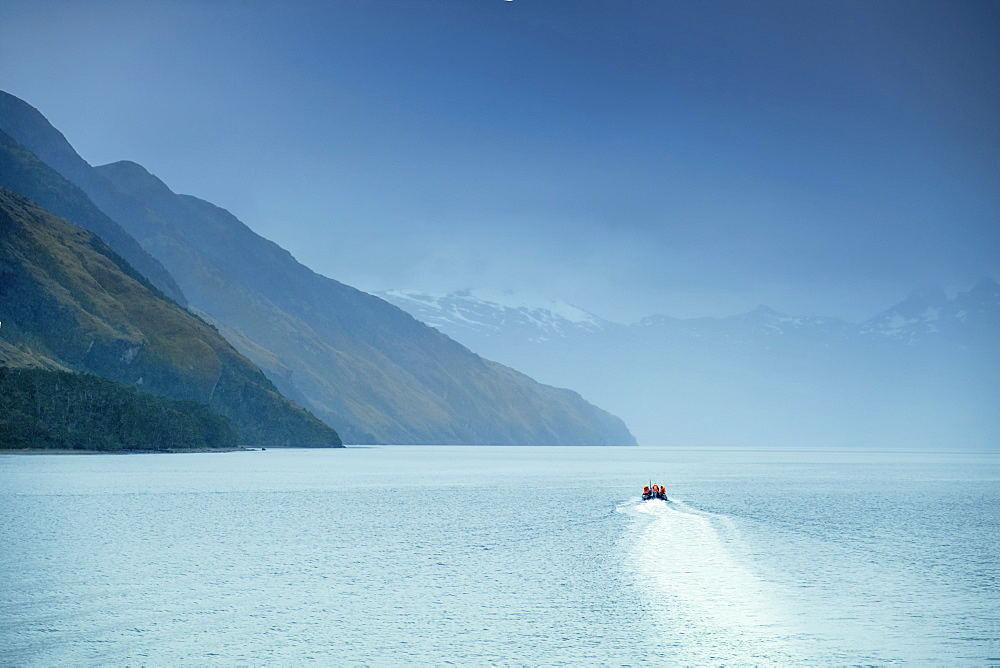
(629, 156)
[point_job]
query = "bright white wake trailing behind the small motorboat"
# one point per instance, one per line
(703, 601)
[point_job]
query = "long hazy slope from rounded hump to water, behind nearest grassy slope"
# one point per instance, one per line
(354, 359)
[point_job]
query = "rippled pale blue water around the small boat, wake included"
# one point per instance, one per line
(501, 556)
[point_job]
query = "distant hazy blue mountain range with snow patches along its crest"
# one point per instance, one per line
(924, 372)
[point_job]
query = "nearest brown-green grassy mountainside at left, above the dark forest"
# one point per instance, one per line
(69, 302)
